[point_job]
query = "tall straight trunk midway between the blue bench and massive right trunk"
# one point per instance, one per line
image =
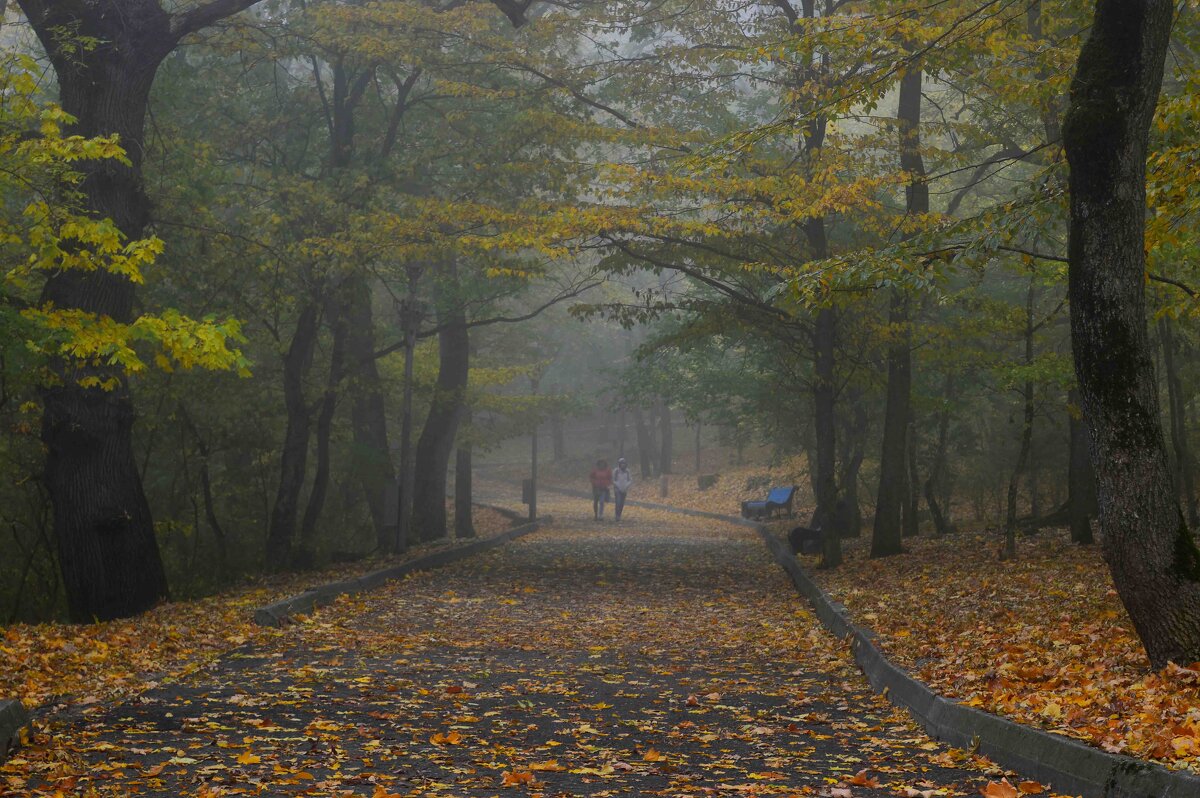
(886, 537)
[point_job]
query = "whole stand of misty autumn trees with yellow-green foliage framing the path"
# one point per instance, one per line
(843, 226)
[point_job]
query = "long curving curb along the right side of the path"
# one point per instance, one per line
(1064, 764)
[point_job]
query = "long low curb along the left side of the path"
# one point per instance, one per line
(280, 614)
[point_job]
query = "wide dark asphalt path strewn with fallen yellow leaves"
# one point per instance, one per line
(665, 657)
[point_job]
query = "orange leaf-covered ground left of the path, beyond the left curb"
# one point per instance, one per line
(75, 667)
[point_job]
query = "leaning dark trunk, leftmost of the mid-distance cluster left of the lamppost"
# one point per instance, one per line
(295, 457)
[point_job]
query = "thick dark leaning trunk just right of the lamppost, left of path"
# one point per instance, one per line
(441, 427)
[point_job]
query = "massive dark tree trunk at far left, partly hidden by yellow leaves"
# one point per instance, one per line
(106, 543)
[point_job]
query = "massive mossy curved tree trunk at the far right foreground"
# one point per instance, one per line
(1149, 548)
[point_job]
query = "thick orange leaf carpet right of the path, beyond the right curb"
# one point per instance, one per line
(1043, 640)
